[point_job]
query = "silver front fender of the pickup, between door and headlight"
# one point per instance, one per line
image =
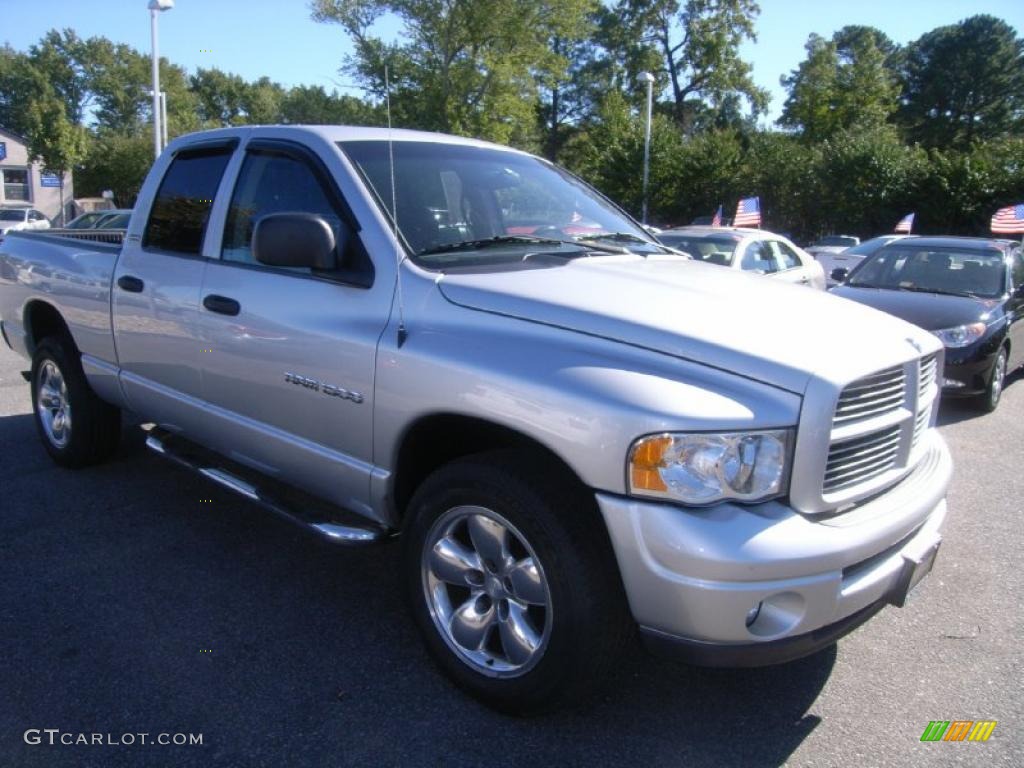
(585, 399)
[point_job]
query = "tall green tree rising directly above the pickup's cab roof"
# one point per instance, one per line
(468, 68)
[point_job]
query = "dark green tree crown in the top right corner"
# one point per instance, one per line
(964, 82)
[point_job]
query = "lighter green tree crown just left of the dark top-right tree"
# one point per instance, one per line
(843, 83)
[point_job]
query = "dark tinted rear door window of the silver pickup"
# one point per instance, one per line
(178, 222)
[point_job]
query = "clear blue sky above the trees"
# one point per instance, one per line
(277, 38)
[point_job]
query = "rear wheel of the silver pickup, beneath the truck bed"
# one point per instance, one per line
(94, 428)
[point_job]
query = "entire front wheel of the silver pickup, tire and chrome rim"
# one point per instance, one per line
(514, 583)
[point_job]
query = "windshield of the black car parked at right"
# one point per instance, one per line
(934, 271)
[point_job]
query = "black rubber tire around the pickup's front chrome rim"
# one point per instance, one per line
(590, 623)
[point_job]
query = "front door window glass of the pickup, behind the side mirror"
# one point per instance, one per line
(273, 184)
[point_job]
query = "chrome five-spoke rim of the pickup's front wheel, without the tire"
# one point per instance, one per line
(487, 591)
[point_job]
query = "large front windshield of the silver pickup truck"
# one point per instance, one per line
(461, 205)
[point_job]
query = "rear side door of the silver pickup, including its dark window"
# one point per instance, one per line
(156, 291)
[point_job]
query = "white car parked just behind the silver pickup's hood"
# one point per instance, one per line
(748, 250)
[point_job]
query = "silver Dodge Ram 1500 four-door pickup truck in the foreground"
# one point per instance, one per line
(576, 432)
